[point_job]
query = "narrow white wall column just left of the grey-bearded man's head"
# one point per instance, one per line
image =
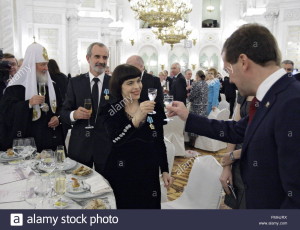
(73, 64)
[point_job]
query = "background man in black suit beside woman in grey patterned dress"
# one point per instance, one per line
(178, 89)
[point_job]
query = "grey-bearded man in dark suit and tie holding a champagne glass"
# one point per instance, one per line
(89, 146)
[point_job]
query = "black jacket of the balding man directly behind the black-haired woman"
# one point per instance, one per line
(149, 81)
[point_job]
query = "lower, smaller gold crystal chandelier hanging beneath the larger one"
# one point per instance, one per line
(173, 34)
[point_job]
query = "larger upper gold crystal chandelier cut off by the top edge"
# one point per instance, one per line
(160, 13)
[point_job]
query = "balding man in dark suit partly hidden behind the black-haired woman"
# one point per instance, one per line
(148, 80)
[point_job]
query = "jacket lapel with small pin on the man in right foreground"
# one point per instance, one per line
(264, 107)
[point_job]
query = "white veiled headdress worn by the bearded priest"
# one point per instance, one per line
(26, 76)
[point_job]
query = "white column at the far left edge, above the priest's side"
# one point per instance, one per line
(7, 26)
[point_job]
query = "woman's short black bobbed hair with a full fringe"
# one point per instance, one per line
(122, 73)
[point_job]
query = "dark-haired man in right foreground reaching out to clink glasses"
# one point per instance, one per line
(270, 156)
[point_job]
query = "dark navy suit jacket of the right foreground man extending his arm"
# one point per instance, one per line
(270, 156)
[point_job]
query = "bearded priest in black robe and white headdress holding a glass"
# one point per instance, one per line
(31, 103)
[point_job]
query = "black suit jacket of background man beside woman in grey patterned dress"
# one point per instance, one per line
(178, 89)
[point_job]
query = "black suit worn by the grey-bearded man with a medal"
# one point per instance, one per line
(86, 146)
